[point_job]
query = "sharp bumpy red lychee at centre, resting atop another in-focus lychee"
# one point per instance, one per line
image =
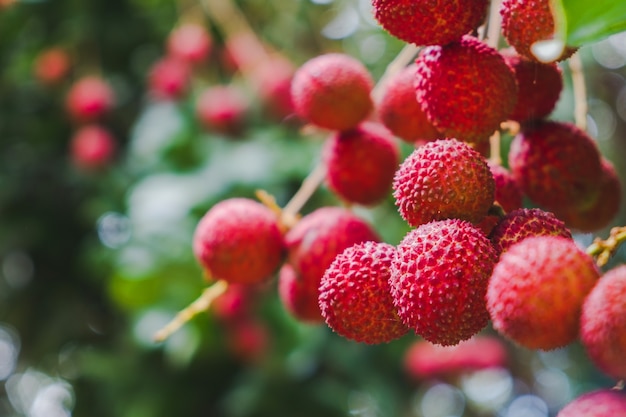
(443, 179)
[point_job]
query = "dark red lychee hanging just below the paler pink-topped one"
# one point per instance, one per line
(361, 163)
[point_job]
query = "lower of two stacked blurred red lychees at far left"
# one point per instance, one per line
(92, 147)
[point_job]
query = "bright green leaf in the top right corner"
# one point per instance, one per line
(582, 22)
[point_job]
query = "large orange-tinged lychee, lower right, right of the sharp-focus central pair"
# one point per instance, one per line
(537, 289)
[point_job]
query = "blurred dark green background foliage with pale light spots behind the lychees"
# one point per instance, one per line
(92, 263)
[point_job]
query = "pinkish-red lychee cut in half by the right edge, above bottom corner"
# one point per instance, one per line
(603, 323)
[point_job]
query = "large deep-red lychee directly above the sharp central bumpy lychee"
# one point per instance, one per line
(465, 88)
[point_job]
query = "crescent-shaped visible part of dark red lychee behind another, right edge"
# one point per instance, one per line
(599, 214)
